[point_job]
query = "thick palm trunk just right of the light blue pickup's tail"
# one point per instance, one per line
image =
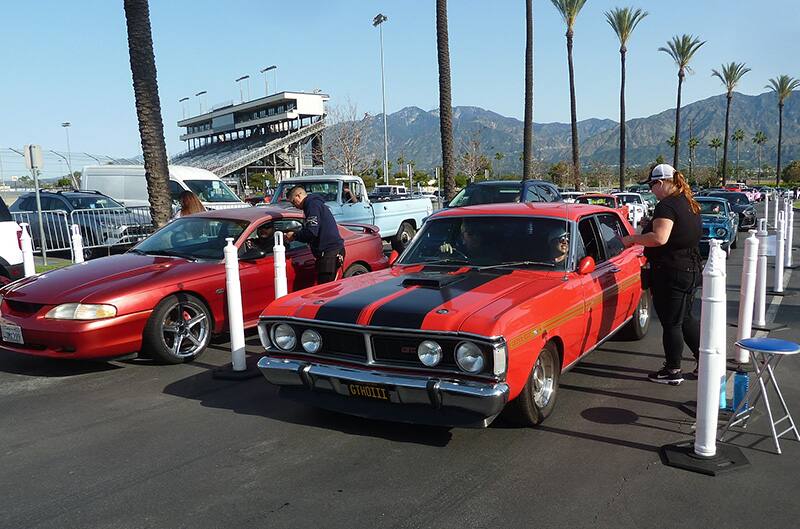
(445, 100)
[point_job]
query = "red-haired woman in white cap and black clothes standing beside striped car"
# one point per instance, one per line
(672, 248)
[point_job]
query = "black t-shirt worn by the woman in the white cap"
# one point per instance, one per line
(682, 248)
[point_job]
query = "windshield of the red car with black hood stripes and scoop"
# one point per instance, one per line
(535, 242)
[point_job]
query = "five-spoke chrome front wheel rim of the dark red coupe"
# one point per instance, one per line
(185, 328)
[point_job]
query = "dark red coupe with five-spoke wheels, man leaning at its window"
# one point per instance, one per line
(166, 296)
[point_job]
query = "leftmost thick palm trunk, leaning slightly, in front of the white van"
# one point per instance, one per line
(148, 109)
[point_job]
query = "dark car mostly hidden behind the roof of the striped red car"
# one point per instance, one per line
(498, 191)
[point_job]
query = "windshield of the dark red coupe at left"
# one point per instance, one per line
(192, 238)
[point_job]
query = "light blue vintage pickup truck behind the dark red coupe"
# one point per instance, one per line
(398, 219)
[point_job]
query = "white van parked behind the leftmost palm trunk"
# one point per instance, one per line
(127, 184)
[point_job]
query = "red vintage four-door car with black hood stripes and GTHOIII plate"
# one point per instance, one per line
(486, 308)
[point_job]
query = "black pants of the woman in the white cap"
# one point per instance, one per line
(673, 295)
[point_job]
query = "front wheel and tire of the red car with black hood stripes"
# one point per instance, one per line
(538, 398)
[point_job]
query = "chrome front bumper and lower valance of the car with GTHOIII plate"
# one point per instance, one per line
(406, 398)
